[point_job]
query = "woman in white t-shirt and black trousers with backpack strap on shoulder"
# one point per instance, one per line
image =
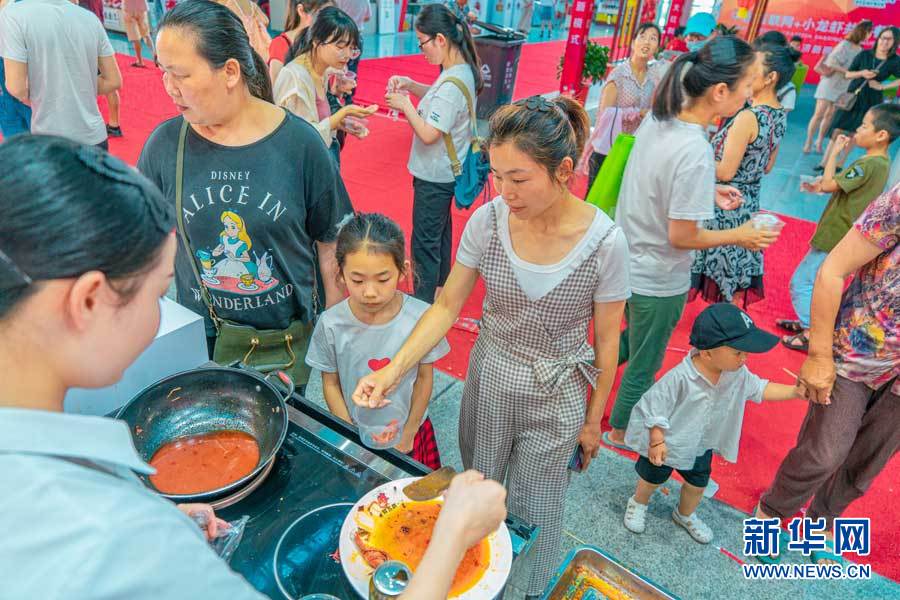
(445, 40)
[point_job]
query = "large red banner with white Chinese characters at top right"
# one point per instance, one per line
(821, 23)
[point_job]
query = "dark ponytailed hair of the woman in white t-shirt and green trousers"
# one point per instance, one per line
(721, 60)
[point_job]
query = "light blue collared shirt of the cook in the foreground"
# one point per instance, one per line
(71, 531)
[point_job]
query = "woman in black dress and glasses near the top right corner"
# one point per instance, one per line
(867, 72)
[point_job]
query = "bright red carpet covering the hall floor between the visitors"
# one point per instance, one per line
(375, 173)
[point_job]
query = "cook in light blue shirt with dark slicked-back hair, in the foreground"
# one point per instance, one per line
(77, 522)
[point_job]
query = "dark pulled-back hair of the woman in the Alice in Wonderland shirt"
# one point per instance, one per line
(219, 37)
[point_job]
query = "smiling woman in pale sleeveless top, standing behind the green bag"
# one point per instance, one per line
(626, 97)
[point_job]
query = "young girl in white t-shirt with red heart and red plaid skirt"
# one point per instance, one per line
(362, 334)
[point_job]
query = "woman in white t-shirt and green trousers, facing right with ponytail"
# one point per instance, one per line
(668, 190)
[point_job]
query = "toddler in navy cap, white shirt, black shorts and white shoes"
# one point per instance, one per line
(696, 409)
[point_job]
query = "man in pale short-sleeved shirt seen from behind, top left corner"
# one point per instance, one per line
(52, 51)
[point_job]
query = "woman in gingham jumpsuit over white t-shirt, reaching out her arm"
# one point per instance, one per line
(550, 263)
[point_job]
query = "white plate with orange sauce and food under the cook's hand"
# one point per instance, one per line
(385, 524)
